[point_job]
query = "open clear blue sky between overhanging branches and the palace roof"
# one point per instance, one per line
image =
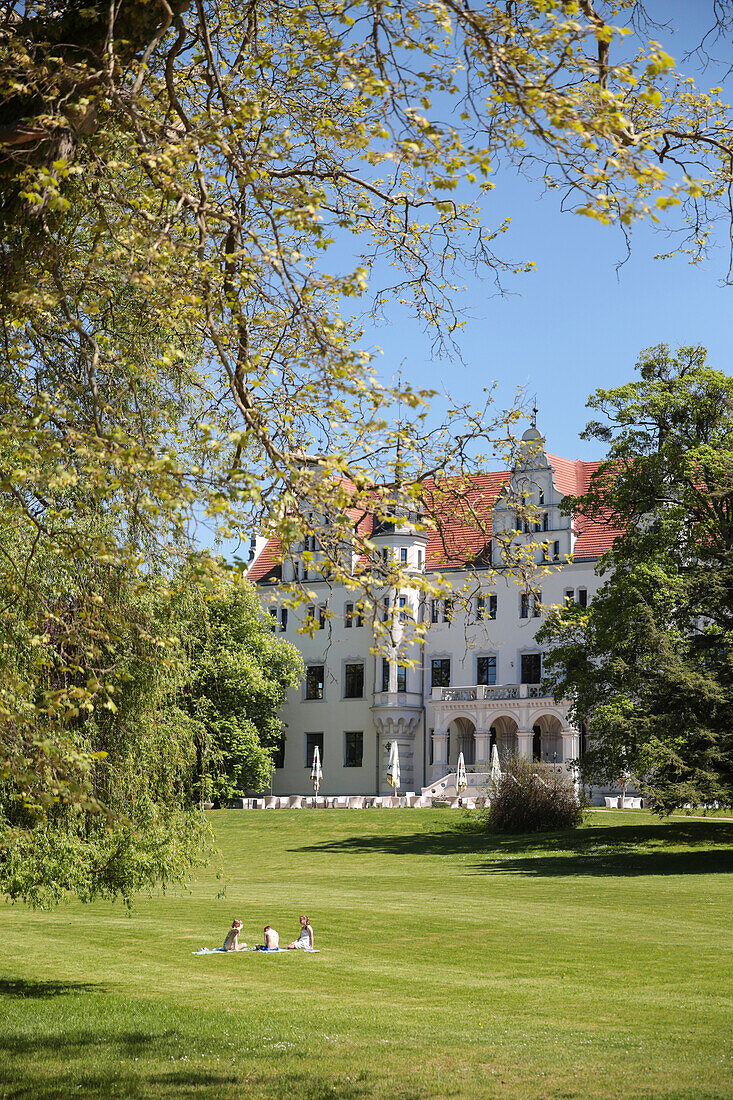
(575, 324)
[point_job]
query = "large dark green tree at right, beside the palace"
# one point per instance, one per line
(649, 665)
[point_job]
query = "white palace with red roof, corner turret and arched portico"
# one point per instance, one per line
(477, 680)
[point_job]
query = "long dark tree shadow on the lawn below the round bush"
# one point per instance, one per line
(669, 849)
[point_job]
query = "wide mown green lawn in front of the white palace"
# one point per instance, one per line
(592, 965)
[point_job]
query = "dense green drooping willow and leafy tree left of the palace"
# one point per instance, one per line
(178, 700)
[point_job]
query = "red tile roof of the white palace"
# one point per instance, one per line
(463, 512)
